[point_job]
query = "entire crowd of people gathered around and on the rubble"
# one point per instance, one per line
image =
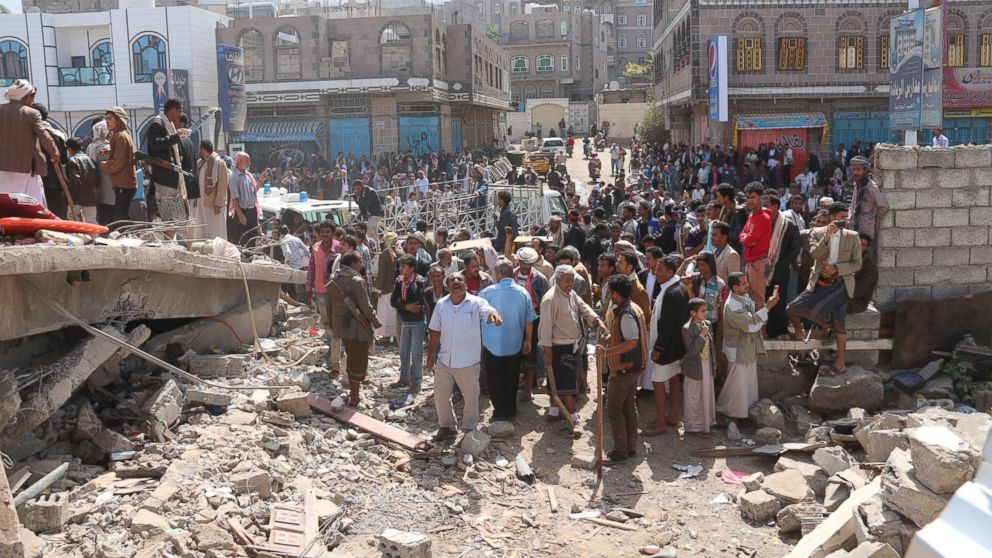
(675, 271)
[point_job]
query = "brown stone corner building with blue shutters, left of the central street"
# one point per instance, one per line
(328, 84)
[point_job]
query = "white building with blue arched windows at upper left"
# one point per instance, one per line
(84, 62)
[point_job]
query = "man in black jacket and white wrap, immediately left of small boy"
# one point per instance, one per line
(670, 312)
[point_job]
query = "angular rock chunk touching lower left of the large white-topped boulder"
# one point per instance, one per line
(904, 493)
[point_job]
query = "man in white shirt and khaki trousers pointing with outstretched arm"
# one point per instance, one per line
(456, 327)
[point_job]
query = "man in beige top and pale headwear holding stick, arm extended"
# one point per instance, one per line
(562, 335)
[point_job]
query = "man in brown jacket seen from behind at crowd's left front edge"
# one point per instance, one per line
(352, 319)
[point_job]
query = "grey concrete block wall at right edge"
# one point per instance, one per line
(935, 243)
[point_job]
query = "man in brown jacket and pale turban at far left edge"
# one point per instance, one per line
(23, 136)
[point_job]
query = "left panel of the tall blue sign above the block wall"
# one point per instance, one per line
(906, 70)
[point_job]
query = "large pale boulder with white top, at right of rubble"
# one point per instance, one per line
(942, 460)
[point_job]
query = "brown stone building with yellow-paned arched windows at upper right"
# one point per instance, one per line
(814, 74)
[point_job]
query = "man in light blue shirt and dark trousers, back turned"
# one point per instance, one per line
(503, 346)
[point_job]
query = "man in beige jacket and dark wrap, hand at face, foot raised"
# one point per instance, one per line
(836, 254)
